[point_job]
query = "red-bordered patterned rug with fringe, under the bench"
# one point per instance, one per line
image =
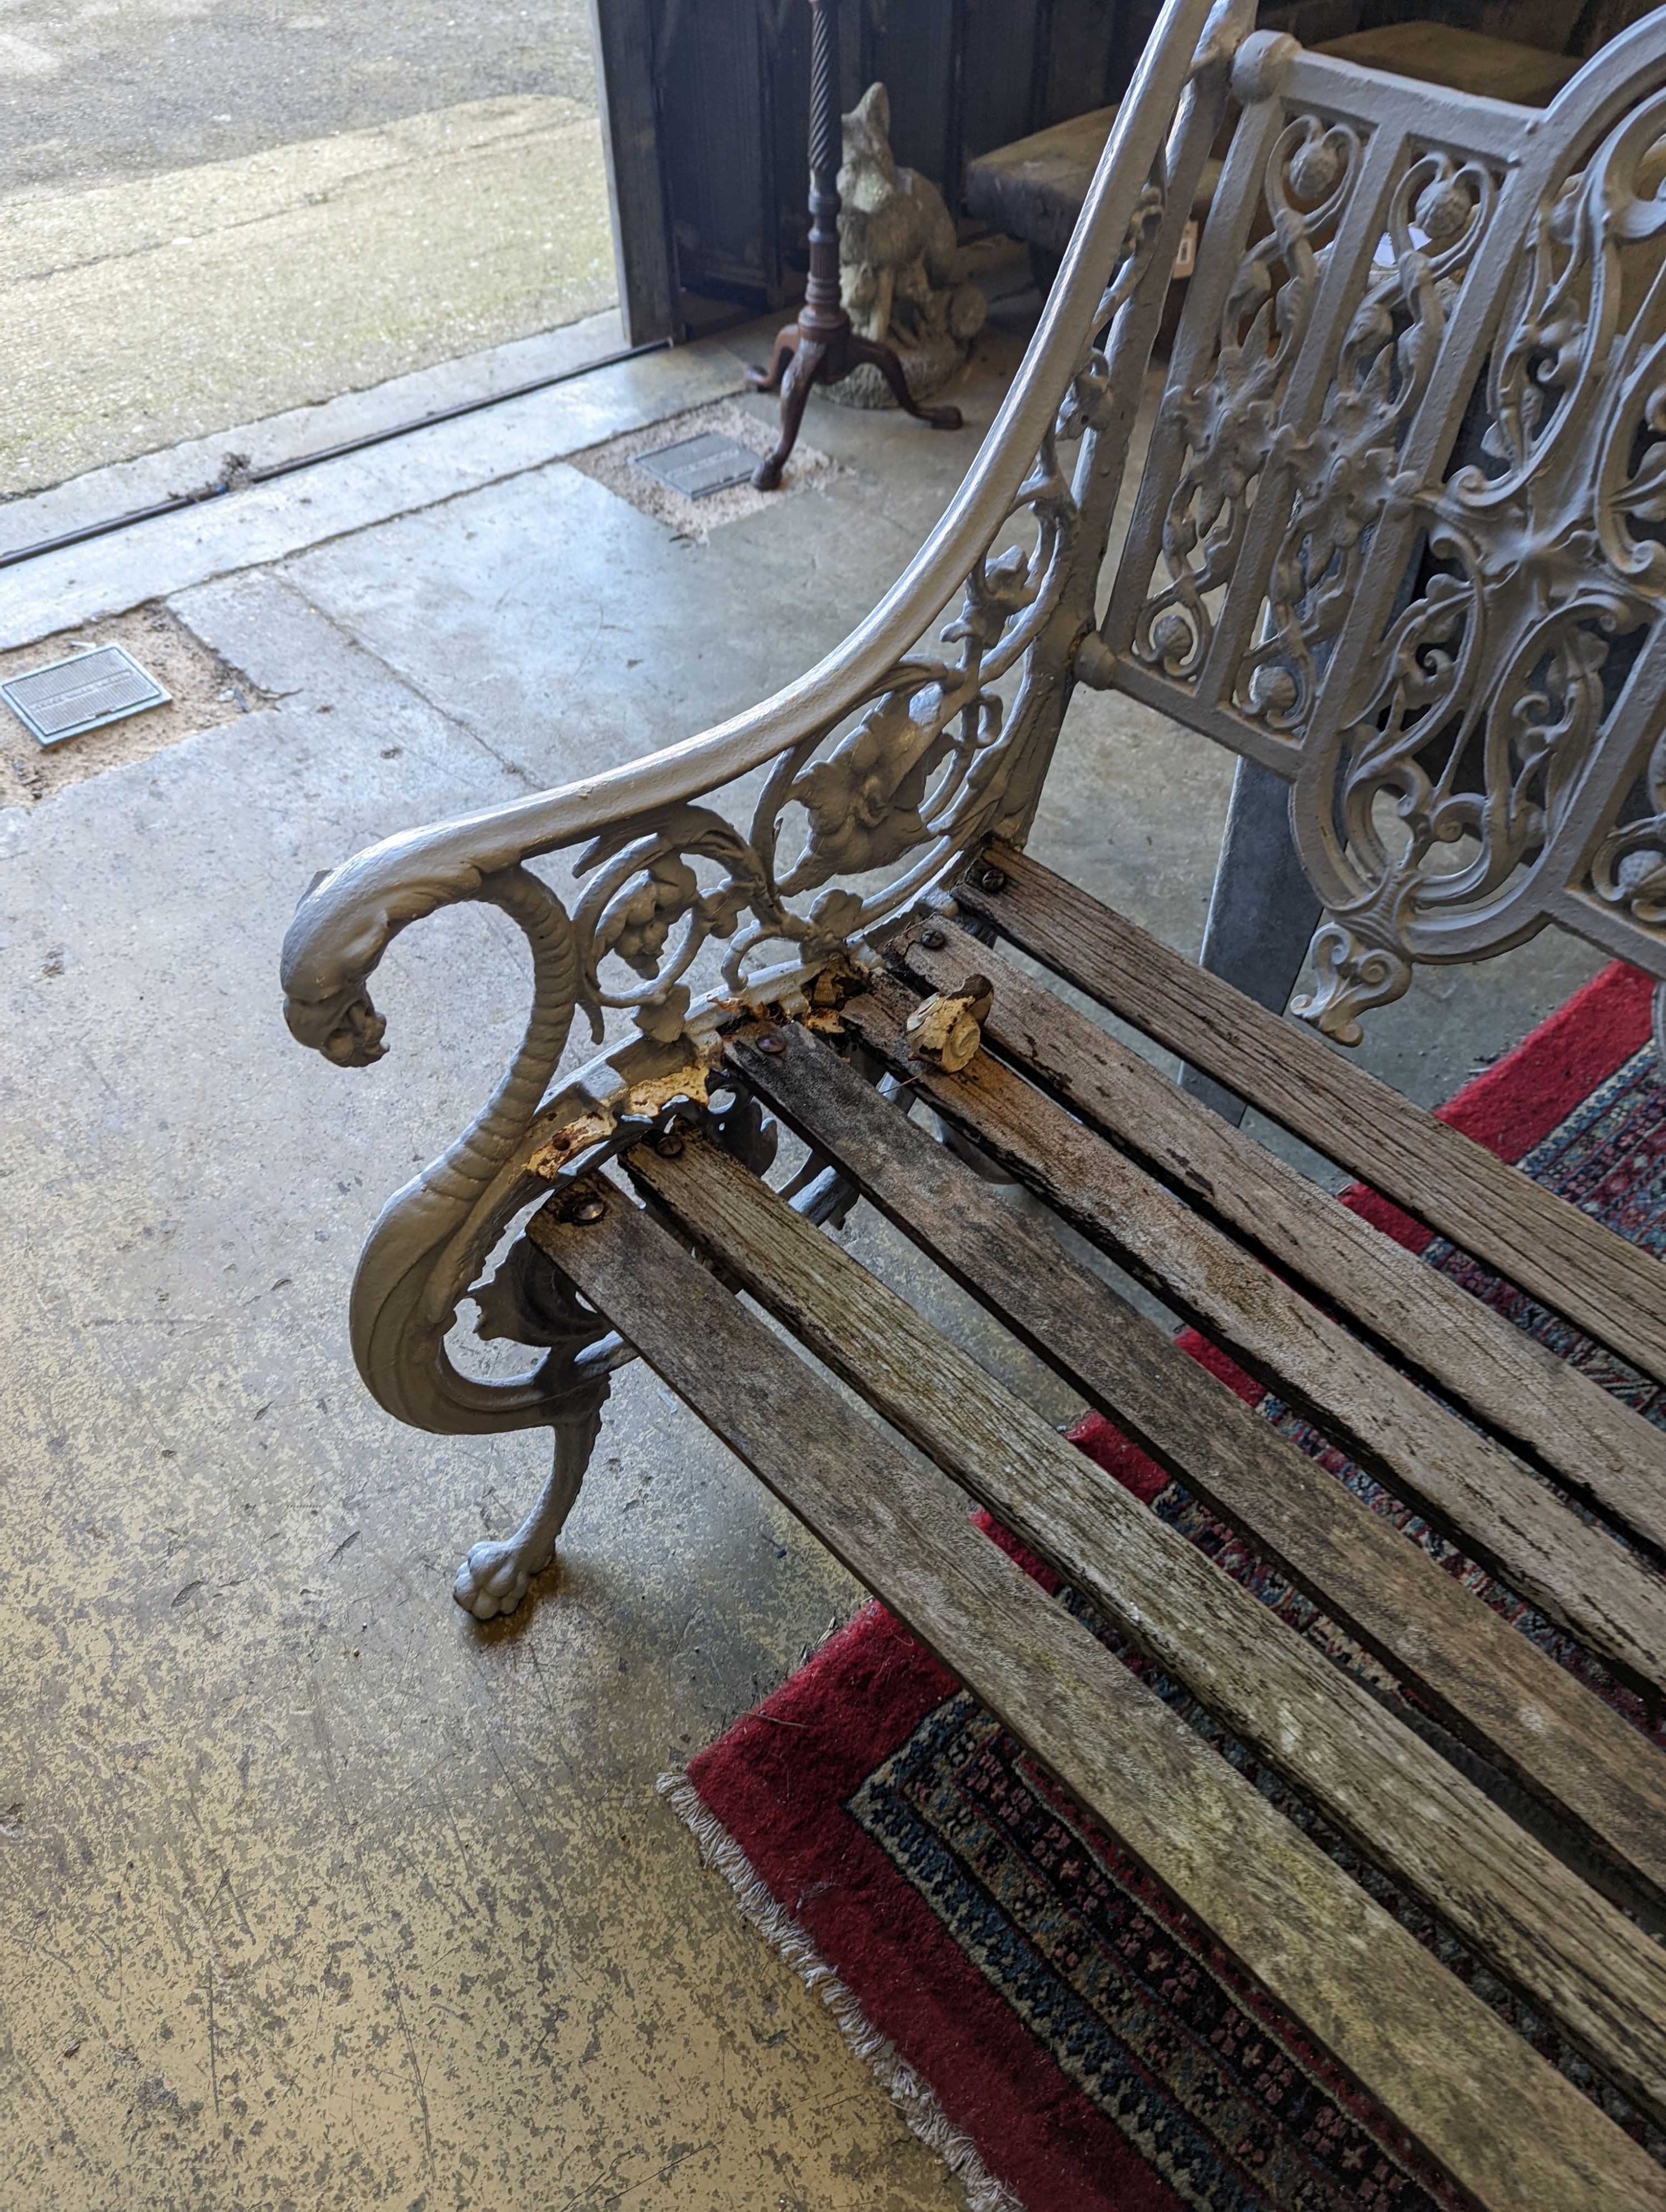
(1059, 2032)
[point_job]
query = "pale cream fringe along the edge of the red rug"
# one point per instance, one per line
(915, 2100)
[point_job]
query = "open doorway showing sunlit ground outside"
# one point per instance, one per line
(222, 211)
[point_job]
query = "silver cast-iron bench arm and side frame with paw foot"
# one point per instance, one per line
(886, 764)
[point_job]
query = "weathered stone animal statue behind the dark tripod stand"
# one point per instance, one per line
(902, 267)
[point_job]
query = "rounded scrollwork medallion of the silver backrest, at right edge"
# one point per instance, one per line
(1501, 676)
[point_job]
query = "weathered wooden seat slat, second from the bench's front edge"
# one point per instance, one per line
(1322, 1729)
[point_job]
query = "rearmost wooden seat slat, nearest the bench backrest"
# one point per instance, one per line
(1439, 1176)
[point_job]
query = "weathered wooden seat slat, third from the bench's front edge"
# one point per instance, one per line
(1486, 1682)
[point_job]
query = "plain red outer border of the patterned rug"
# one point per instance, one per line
(784, 1811)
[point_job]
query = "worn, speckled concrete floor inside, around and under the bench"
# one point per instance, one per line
(315, 1892)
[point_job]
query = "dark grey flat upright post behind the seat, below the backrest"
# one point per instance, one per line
(1262, 912)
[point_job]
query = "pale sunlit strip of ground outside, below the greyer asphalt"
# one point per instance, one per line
(158, 309)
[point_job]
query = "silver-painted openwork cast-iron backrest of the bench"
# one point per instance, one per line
(1402, 525)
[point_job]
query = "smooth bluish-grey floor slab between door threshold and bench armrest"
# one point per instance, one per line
(629, 638)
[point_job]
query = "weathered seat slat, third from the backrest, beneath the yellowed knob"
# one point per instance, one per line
(1461, 1481)
